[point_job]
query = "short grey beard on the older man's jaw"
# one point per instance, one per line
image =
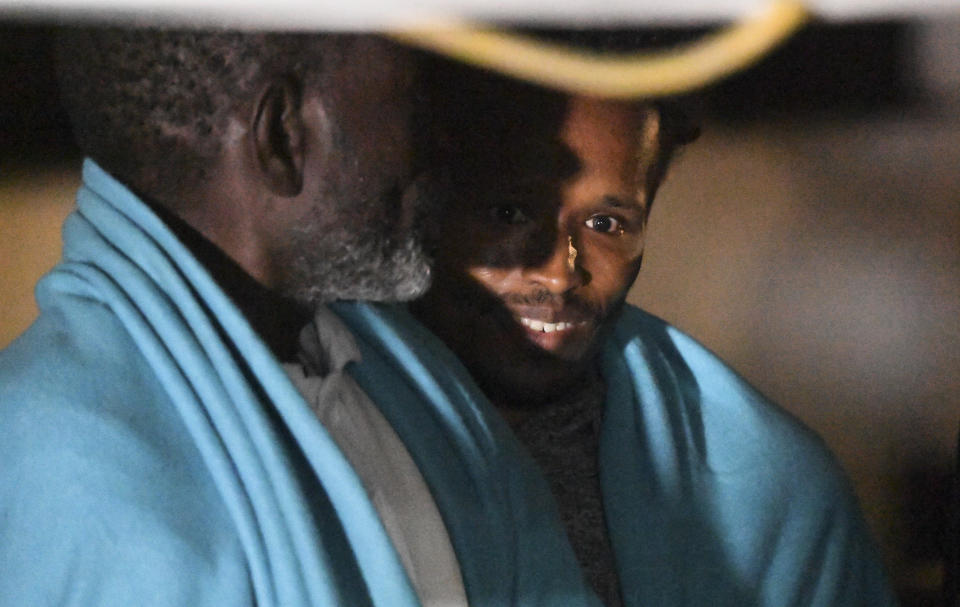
(364, 264)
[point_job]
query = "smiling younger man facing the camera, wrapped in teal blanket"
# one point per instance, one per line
(676, 483)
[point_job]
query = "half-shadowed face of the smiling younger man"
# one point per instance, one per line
(541, 241)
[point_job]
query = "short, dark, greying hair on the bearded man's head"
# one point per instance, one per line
(151, 106)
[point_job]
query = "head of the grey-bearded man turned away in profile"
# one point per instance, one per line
(290, 152)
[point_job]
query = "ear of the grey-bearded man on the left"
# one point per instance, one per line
(279, 136)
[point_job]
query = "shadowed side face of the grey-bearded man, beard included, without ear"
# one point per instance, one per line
(361, 236)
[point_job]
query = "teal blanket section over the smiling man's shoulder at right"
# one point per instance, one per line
(716, 497)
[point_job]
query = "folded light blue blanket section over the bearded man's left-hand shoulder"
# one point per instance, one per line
(141, 463)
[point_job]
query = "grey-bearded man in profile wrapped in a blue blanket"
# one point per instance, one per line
(171, 436)
